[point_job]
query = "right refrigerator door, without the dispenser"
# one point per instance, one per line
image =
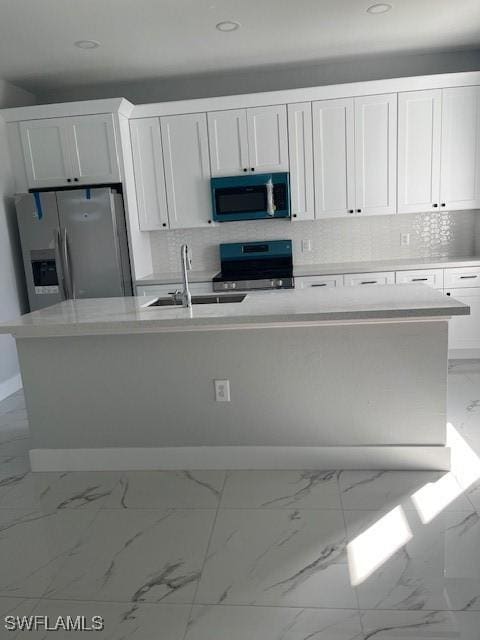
(91, 243)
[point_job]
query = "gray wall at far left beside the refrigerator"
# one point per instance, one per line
(12, 292)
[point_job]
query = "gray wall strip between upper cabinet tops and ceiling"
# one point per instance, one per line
(273, 78)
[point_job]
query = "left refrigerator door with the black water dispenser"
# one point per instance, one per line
(38, 226)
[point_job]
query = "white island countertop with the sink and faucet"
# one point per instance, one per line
(272, 308)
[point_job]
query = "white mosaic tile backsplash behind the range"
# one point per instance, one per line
(332, 240)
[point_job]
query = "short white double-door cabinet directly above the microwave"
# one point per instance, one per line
(246, 140)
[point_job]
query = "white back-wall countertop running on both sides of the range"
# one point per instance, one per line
(332, 268)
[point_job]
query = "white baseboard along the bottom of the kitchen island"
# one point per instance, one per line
(170, 458)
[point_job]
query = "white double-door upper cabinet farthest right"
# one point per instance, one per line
(439, 149)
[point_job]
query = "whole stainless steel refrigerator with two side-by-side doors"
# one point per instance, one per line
(74, 245)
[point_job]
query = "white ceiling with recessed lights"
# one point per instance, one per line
(153, 38)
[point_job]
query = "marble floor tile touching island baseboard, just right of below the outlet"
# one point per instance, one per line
(272, 489)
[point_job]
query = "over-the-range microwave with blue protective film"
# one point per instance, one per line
(263, 196)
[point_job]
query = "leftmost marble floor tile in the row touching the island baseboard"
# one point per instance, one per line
(68, 490)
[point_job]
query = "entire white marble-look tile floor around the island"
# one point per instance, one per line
(247, 555)
